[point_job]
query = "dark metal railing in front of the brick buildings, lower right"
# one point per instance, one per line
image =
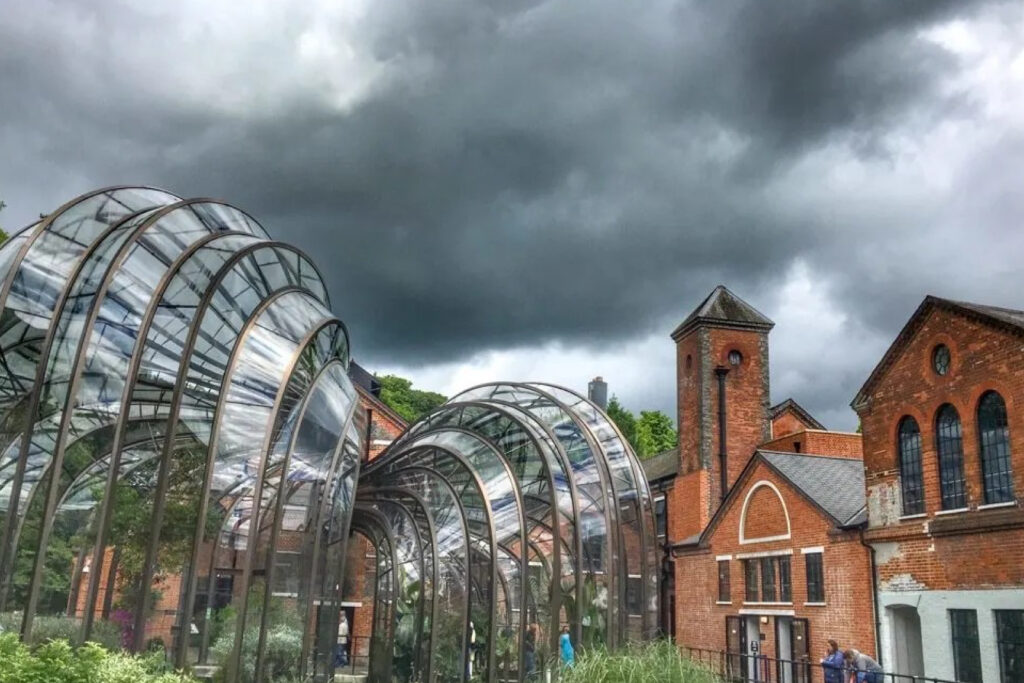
(740, 668)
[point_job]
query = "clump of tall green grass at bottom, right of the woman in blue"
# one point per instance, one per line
(659, 662)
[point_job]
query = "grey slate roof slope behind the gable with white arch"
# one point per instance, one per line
(835, 485)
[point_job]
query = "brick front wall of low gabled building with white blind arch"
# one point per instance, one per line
(848, 614)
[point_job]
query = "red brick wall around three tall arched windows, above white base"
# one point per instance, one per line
(973, 549)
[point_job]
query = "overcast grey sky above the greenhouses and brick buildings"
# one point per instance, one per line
(545, 190)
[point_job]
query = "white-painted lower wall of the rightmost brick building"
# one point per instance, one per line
(935, 632)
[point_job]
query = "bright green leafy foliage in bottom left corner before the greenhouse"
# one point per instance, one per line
(58, 662)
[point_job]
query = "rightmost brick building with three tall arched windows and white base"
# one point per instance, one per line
(945, 458)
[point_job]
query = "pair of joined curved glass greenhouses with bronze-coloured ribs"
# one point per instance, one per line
(181, 452)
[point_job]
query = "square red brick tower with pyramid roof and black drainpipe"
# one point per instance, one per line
(723, 403)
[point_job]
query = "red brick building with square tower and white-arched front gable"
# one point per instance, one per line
(760, 506)
